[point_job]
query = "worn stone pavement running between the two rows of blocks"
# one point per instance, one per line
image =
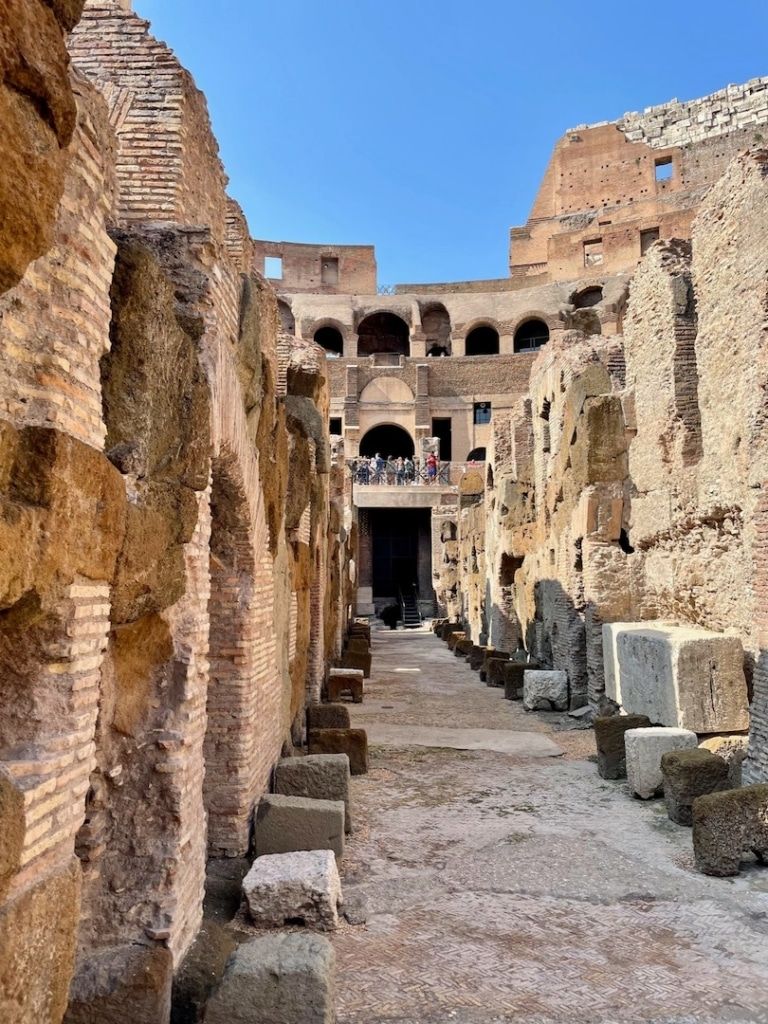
(517, 888)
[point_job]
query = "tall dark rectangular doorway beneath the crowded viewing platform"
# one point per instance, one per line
(401, 552)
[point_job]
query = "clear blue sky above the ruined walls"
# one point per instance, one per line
(424, 126)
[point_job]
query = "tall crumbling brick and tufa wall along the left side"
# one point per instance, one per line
(156, 557)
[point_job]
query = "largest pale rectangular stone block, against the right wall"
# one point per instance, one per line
(682, 676)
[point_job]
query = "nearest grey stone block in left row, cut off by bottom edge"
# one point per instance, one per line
(282, 978)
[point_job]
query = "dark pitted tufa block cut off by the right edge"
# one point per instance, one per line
(729, 825)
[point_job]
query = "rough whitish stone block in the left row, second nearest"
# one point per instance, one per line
(290, 887)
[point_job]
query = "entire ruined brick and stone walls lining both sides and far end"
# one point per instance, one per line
(180, 536)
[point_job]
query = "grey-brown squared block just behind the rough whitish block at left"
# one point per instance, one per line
(285, 825)
